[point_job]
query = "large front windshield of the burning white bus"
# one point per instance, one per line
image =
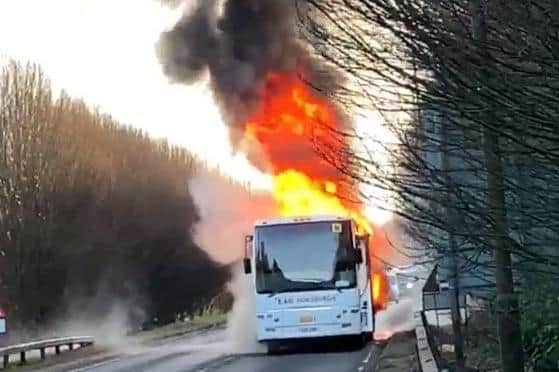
(304, 256)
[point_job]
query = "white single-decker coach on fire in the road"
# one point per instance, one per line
(312, 280)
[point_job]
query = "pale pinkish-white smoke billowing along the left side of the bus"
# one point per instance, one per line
(227, 213)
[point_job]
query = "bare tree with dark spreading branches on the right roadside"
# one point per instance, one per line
(489, 70)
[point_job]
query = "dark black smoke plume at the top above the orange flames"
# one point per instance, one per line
(238, 42)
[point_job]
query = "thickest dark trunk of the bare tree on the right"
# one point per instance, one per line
(508, 316)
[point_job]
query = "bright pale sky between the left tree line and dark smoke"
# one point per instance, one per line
(103, 51)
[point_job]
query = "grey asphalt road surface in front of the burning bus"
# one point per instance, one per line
(207, 352)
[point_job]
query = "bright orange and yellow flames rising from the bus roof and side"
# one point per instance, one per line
(285, 128)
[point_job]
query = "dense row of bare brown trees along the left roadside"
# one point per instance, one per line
(89, 205)
